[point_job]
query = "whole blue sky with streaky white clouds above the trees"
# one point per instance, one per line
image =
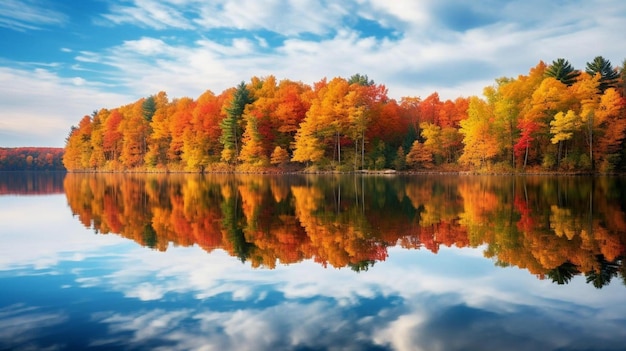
(61, 60)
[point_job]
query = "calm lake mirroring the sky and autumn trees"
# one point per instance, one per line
(311, 262)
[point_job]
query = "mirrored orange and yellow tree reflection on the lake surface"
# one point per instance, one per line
(555, 228)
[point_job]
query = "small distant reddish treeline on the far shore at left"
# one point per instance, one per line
(31, 159)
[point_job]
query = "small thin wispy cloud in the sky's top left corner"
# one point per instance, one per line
(29, 15)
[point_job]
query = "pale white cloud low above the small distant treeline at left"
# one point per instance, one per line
(39, 107)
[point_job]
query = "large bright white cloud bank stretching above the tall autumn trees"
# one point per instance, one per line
(468, 60)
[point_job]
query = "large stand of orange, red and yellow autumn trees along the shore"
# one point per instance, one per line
(556, 118)
